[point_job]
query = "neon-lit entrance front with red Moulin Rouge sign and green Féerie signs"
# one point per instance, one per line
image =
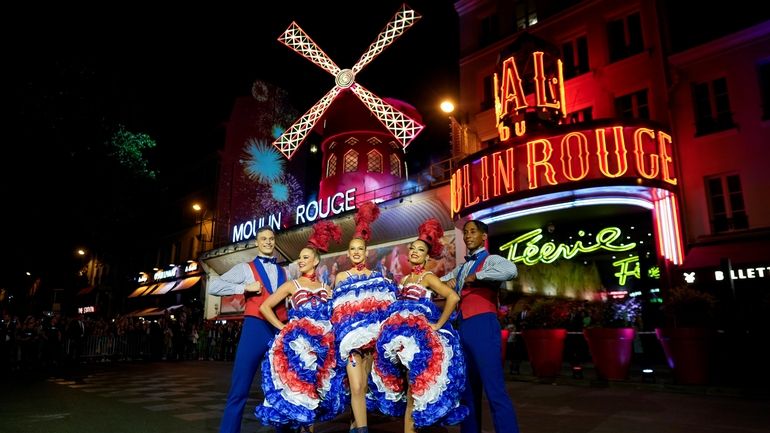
(587, 210)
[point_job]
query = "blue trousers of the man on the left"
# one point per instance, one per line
(252, 346)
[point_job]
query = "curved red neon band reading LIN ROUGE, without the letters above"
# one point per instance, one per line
(623, 155)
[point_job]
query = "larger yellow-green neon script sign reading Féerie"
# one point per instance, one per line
(532, 252)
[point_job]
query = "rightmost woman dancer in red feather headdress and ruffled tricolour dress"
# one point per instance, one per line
(417, 340)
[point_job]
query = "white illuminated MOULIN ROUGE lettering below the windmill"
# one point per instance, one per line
(304, 213)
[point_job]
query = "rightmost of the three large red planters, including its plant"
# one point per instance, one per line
(688, 336)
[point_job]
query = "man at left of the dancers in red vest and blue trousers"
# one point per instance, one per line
(256, 280)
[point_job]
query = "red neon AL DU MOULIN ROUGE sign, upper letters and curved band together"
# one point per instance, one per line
(616, 153)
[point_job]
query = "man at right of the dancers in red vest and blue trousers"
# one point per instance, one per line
(478, 281)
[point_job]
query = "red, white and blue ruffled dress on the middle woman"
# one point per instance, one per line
(359, 305)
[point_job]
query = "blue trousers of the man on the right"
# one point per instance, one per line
(481, 341)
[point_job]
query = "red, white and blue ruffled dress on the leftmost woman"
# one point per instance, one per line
(299, 373)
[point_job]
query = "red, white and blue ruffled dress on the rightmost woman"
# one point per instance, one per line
(432, 362)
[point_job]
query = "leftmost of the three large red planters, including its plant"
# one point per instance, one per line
(544, 331)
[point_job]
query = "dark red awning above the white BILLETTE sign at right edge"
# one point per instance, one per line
(739, 252)
